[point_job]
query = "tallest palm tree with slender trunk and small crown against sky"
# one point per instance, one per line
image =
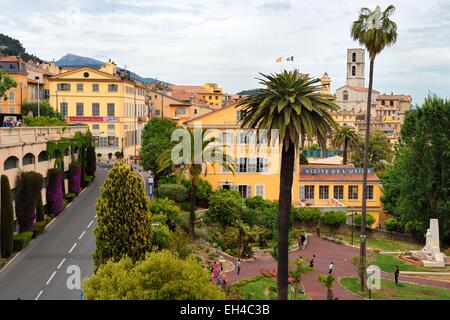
(375, 31)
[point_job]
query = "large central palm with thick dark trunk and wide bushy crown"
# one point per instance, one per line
(291, 103)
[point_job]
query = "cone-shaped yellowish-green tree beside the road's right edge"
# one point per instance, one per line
(124, 219)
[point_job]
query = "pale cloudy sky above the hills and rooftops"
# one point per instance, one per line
(231, 42)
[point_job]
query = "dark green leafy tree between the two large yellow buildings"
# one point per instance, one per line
(156, 138)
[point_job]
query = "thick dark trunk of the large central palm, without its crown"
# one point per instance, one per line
(284, 210)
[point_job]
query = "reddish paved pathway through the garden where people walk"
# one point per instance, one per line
(325, 252)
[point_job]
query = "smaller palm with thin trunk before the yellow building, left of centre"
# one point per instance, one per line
(194, 160)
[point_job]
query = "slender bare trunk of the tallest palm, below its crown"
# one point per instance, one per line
(362, 260)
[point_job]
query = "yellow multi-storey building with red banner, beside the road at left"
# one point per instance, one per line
(110, 103)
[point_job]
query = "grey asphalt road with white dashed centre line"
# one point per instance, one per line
(43, 270)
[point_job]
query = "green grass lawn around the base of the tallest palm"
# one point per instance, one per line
(404, 291)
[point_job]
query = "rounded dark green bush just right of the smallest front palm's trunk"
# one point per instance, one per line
(225, 207)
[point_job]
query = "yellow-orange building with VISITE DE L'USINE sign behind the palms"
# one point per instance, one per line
(258, 170)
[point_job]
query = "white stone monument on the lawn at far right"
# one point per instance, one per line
(432, 252)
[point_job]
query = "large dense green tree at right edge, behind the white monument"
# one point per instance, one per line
(416, 187)
